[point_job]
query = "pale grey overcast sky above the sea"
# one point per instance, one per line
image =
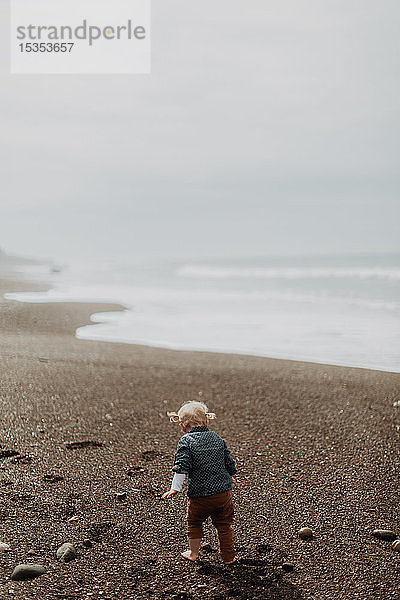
(267, 126)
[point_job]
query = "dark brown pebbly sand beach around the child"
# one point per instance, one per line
(315, 445)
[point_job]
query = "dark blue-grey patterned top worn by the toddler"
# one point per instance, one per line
(205, 457)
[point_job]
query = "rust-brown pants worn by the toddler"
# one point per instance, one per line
(220, 508)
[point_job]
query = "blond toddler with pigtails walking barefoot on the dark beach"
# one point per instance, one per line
(204, 458)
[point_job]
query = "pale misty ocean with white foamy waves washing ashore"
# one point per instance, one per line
(341, 310)
